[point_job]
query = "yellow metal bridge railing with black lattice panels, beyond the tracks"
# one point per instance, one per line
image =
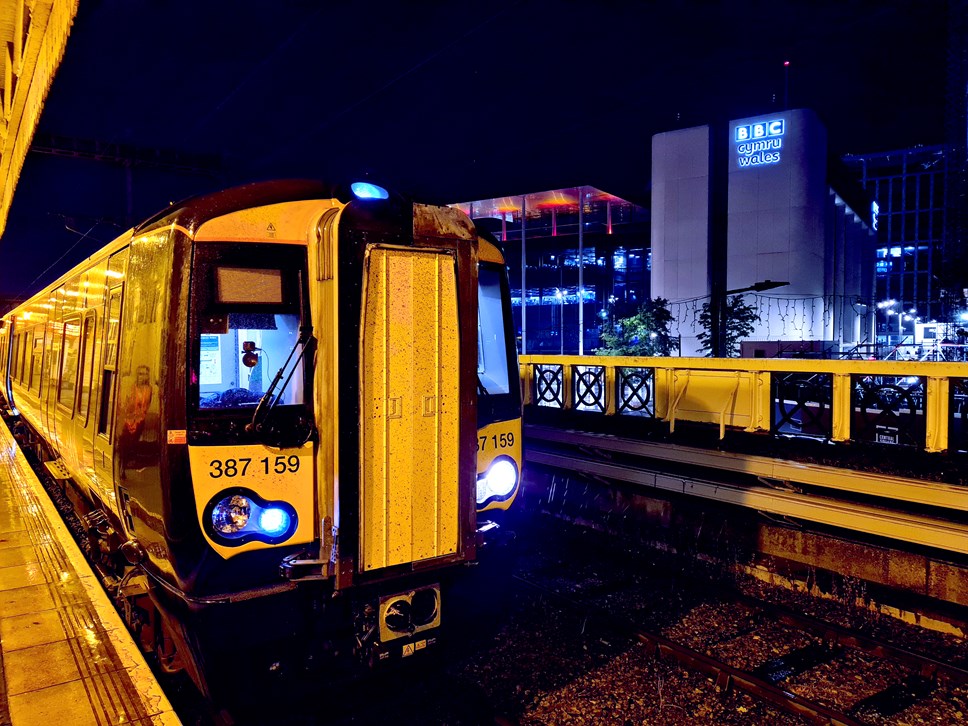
(912, 402)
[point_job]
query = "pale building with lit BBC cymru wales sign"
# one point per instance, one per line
(749, 206)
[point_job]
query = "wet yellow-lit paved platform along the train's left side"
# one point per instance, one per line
(65, 655)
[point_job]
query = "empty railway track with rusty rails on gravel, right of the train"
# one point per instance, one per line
(809, 667)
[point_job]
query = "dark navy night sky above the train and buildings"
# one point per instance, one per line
(444, 101)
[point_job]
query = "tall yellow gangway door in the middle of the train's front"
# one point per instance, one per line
(409, 409)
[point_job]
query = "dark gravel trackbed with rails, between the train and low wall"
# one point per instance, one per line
(670, 634)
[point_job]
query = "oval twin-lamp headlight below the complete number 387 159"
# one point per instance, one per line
(236, 516)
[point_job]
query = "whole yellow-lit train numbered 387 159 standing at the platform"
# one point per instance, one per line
(298, 403)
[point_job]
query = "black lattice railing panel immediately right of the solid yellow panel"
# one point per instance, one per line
(802, 404)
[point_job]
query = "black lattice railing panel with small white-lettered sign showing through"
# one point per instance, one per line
(888, 410)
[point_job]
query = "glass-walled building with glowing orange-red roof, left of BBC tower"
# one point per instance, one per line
(576, 257)
